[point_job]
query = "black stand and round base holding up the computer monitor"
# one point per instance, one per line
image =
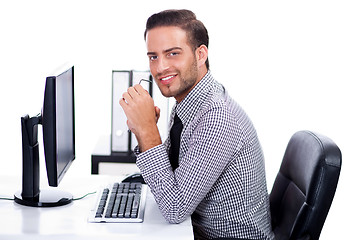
(31, 194)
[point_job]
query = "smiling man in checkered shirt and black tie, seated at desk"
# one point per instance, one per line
(218, 176)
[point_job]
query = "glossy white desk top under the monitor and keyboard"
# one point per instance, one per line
(70, 221)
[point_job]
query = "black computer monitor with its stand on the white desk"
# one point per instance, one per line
(58, 121)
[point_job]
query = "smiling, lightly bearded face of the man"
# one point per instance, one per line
(172, 61)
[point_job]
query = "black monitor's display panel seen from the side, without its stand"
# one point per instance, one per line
(58, 125)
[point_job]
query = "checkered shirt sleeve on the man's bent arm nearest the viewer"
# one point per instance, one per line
(207, 146)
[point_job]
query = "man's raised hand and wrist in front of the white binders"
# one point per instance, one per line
(142, 116)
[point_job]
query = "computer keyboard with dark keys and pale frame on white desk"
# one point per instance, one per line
(120, 202)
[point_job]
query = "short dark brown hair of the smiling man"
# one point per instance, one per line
(184, 19)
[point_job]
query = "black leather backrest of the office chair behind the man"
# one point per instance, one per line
(305, 186)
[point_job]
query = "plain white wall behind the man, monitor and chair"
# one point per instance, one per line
(291, 65)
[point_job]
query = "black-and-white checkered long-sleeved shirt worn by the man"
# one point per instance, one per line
(220, 181)
